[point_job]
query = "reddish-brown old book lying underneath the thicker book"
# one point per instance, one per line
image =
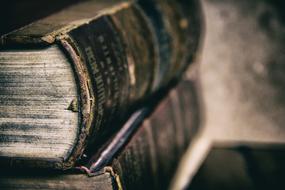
(147, 161)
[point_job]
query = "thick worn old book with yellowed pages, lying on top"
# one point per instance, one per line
(69, 80)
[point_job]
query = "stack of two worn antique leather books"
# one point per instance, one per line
(95, 96)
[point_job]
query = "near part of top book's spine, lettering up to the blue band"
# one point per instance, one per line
(117, 68)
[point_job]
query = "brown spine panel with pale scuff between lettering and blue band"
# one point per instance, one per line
(138, 36)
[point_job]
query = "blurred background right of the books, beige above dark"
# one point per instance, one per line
(242, 75)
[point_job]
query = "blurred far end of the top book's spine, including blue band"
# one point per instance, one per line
(177, 24)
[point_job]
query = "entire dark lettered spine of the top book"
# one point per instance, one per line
(124, 56)
